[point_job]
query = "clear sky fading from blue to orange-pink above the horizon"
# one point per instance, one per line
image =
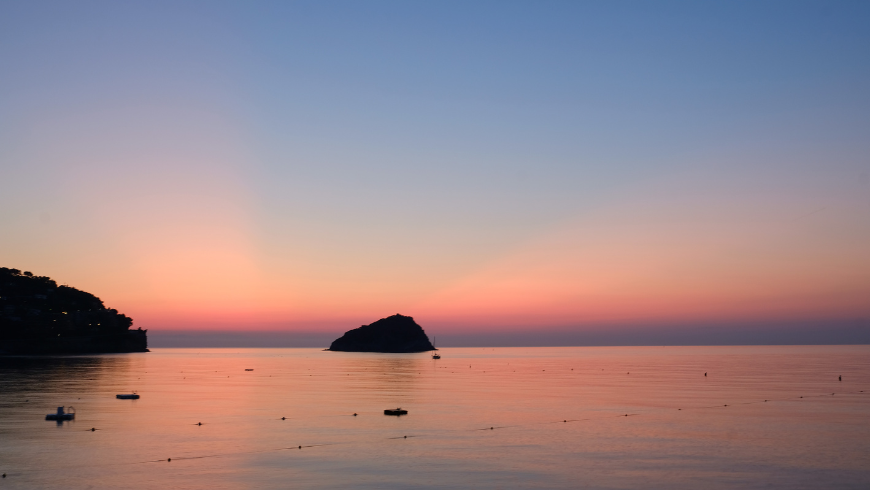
(486, 167)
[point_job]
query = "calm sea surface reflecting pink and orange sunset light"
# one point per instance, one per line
(596, 417)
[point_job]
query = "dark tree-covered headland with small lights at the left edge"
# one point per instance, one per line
(39, 317)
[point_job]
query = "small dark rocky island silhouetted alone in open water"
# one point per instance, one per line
(397, 333)
